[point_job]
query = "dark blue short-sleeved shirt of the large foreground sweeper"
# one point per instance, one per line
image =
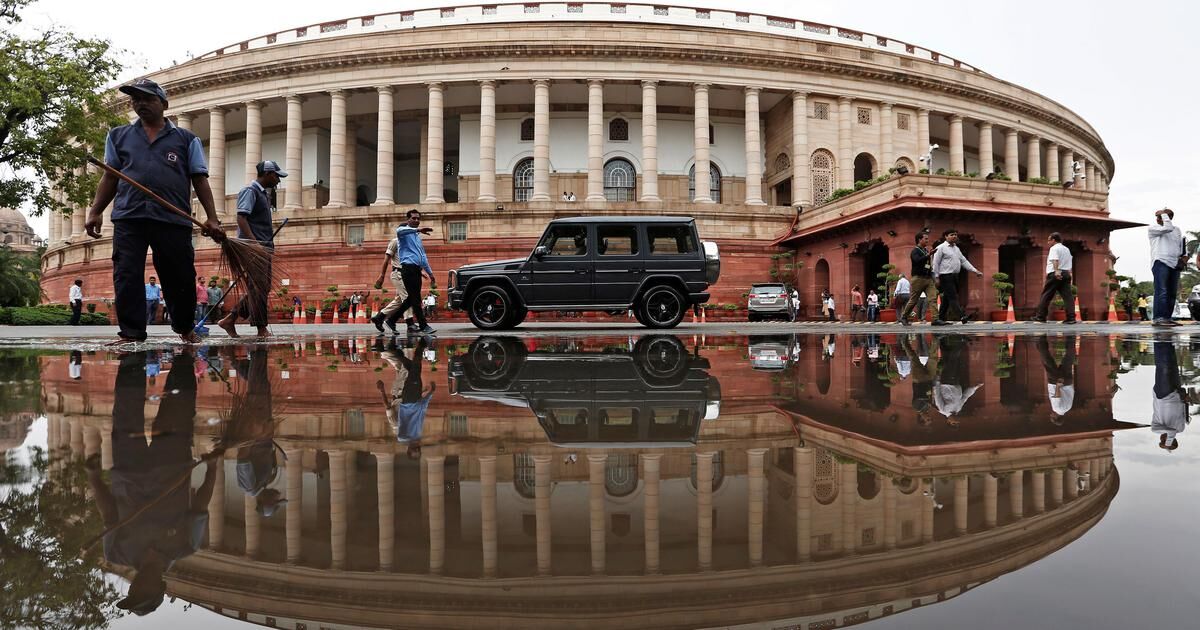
(165, 166)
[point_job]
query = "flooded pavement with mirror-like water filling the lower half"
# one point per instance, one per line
(799, 482)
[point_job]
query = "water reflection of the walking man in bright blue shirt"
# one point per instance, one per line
(410, 398)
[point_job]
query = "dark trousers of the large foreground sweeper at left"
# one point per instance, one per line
(175, 262)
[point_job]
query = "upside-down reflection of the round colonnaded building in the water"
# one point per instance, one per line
(819, 530)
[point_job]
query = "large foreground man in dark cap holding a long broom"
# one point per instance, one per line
(170, 161)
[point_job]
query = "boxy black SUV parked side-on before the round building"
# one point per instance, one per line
(655, 266)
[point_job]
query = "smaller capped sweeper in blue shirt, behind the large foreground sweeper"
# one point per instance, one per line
(255, 211)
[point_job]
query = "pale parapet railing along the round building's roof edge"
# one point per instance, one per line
(560, 13)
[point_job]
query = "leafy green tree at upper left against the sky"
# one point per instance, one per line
(53, 107)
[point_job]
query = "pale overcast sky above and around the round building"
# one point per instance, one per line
(1125, 68)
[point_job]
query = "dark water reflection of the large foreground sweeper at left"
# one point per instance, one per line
(153, 512)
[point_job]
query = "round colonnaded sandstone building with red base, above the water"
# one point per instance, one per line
(734, 118)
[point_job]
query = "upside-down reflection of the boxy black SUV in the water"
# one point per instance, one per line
(658, 394)
